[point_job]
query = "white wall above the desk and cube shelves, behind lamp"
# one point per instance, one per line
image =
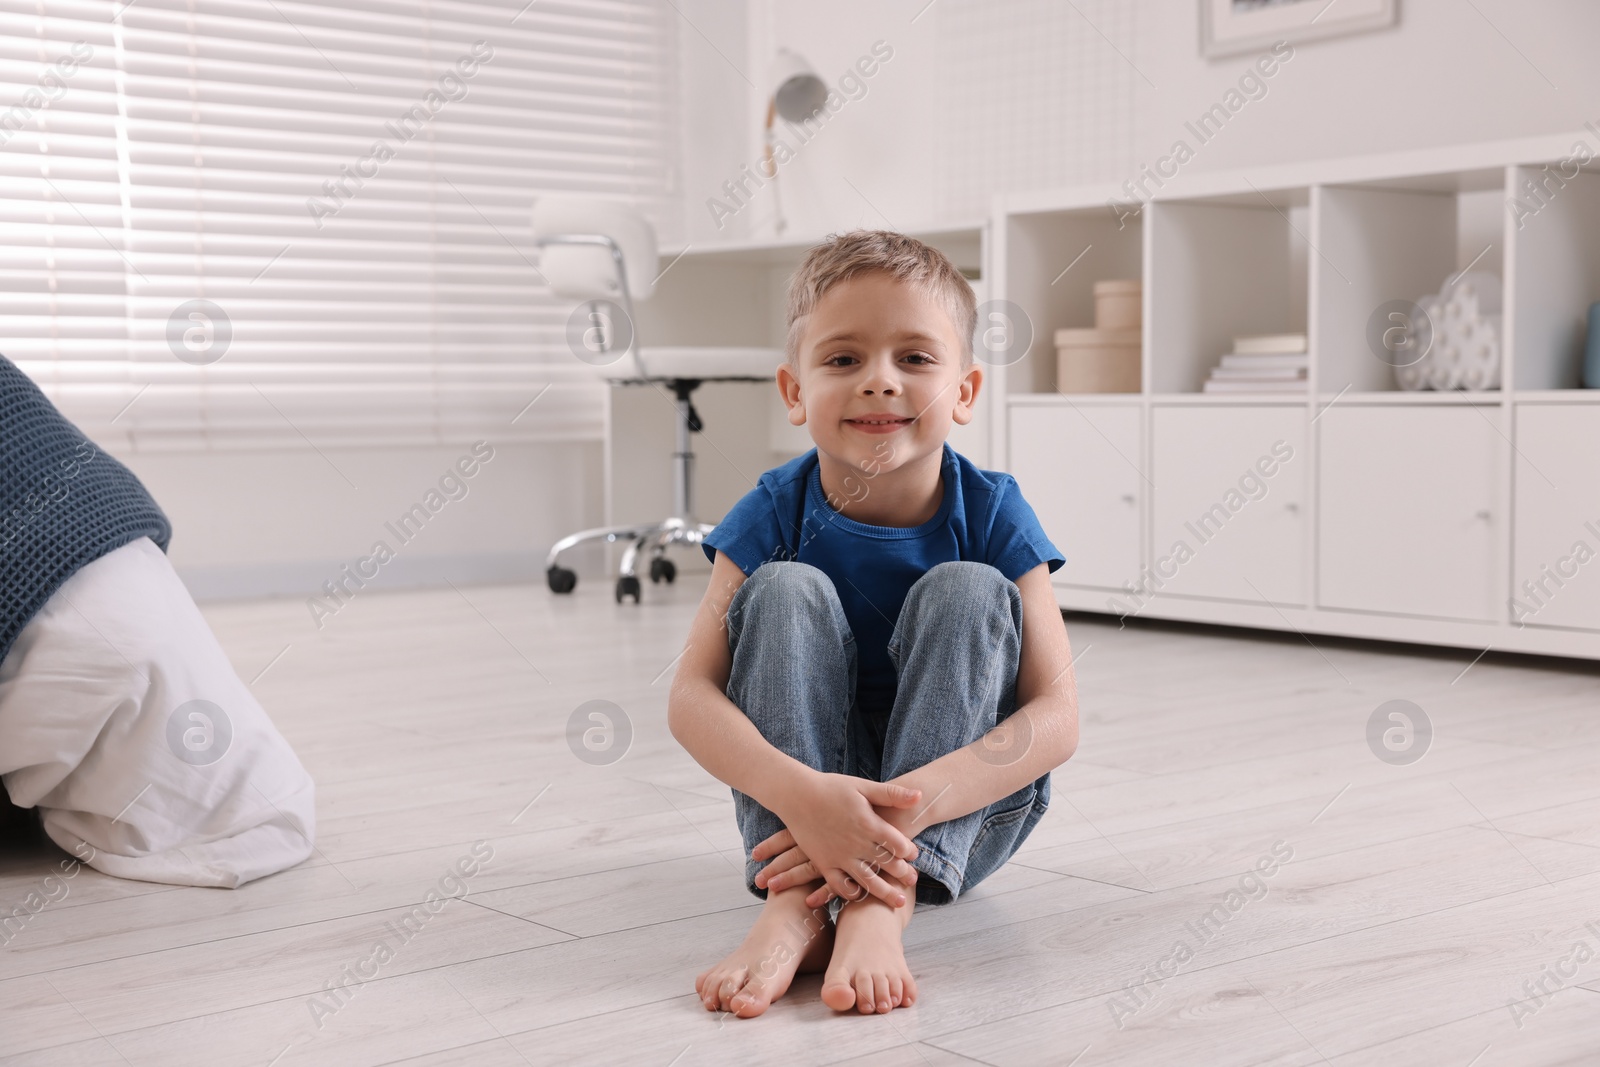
(985, 98)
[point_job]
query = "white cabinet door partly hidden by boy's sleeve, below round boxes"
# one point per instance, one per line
(1079, 470)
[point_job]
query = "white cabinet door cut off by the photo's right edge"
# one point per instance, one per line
(1556, 575)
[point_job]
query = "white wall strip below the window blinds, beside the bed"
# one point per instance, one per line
(250, 524)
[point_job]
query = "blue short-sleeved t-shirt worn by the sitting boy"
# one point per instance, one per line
(982, 518)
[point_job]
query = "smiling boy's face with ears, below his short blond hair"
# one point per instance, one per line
(879, 375)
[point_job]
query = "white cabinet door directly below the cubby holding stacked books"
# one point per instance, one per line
(1230, 495)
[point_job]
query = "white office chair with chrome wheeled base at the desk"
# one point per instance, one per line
(596, 250)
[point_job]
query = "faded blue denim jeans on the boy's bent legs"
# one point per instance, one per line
(956, 649)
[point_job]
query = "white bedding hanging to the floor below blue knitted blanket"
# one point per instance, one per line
(148, 756)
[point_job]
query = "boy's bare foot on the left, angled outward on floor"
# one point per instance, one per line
(788, 937)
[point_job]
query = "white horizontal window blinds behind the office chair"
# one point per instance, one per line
(246, 223)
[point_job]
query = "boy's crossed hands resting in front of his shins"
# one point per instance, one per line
(850, 833)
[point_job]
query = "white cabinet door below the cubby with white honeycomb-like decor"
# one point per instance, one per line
(1407, 518)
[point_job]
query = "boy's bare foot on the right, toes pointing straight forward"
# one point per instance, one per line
(868, 970)
